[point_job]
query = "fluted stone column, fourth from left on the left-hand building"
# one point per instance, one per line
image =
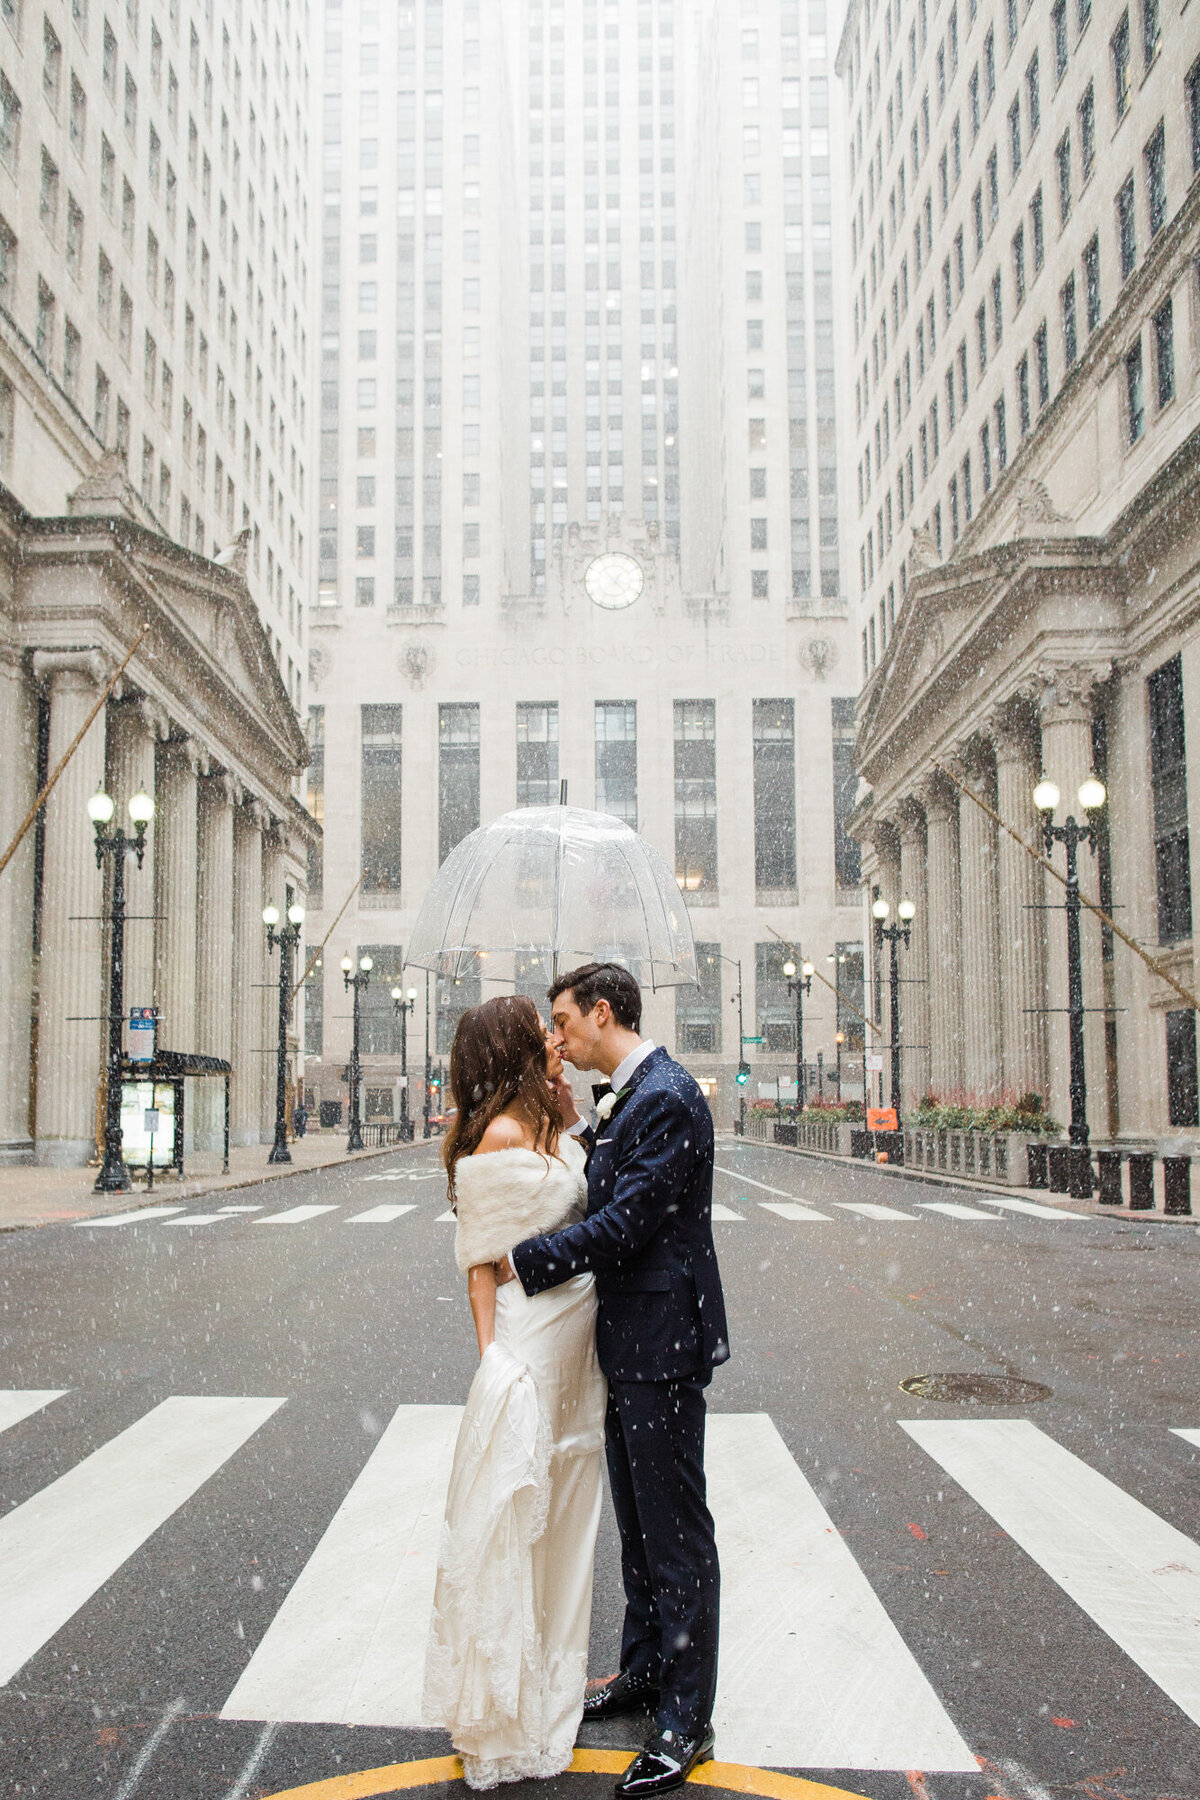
(215, 949)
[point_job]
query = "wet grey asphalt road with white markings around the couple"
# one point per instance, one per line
(1001, 1608)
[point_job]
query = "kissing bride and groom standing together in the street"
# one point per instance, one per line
(600, 1318)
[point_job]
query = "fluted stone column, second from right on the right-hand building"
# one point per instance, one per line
(1023, 924)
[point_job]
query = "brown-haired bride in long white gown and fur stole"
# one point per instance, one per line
(506, 1660)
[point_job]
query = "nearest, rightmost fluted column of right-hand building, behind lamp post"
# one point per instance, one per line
(1068, 760)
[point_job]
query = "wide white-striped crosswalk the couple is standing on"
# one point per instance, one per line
(816, 1673)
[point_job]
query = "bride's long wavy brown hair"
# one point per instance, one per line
(497, 1061)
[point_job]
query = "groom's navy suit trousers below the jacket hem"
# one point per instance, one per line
(654, 1441)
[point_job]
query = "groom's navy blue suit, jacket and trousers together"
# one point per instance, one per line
(659, 1333)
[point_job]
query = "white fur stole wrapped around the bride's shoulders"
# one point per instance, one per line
(506, 1196)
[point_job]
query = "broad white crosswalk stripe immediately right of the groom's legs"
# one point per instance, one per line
(814, 1673)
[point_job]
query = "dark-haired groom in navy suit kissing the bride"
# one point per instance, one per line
(659, 1333)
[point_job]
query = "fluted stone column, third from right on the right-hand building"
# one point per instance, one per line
(981, 933)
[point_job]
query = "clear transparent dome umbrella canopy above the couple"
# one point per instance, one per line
(546, 888)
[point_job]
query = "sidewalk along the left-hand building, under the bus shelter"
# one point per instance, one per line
(55, 1196)
